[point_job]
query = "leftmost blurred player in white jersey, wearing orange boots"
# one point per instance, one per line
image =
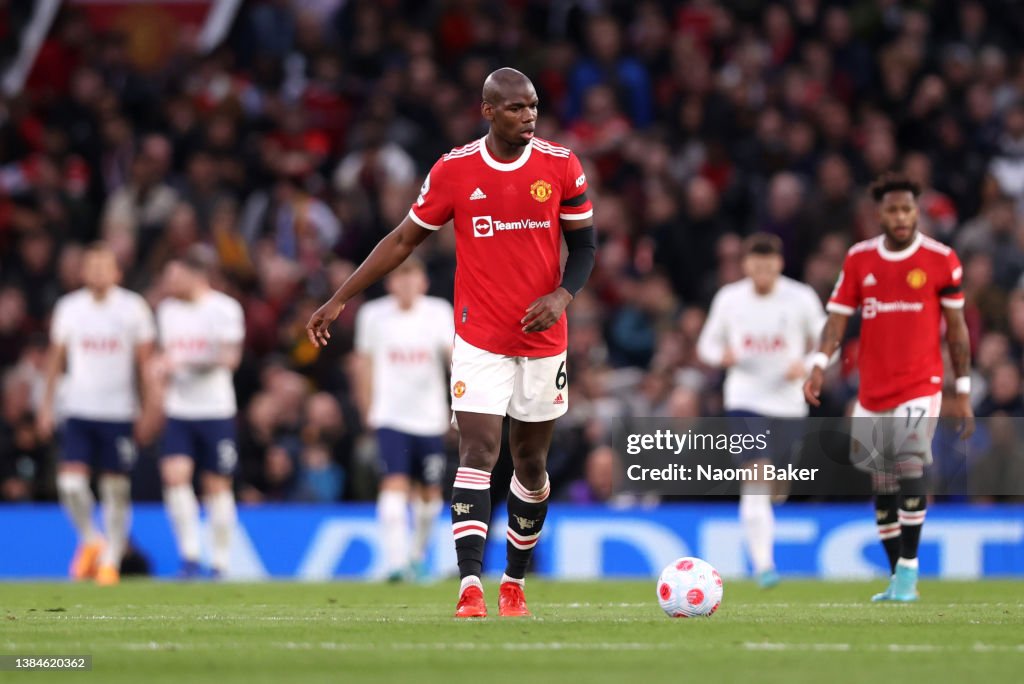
(102, 336)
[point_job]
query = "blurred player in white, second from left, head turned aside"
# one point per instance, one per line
(201, 335)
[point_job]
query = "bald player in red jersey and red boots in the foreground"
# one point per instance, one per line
(513, 198)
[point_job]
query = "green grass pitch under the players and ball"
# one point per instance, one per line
(583, 633)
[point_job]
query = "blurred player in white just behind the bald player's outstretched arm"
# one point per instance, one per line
(404, 344)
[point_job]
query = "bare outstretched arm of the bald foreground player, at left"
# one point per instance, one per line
(392, 251)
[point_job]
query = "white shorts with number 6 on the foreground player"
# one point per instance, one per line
(532, 391)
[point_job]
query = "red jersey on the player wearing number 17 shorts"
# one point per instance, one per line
(902, 295)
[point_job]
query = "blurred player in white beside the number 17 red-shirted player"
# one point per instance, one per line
(761, 330)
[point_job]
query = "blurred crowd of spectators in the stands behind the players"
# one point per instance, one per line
(303, 140)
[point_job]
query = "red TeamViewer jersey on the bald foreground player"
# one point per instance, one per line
(508, 238)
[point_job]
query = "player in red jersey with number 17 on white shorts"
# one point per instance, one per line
(905, 284)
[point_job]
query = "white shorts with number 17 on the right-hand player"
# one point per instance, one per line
(880, 441)
